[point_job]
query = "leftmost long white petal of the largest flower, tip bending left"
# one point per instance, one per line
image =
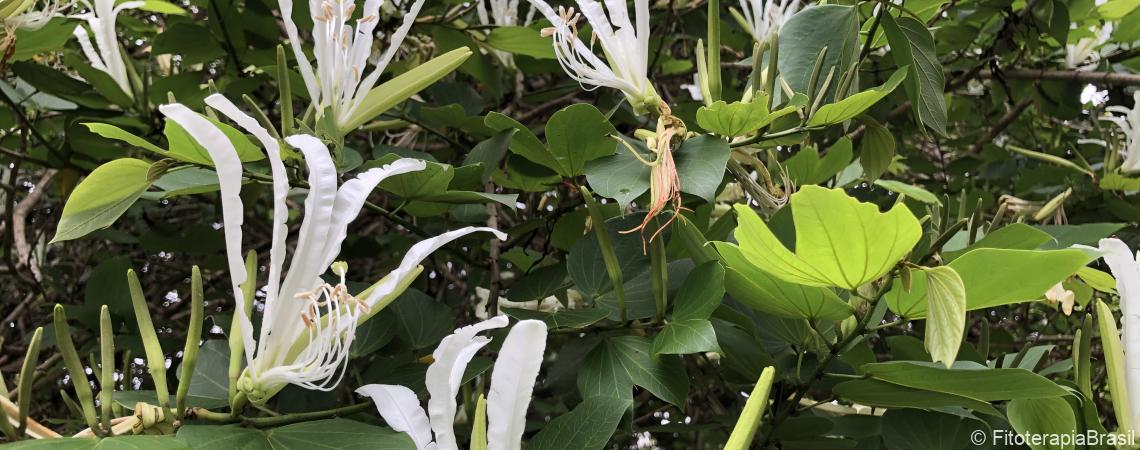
(230, 181)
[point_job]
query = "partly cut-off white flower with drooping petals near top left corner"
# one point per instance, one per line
(105, 55)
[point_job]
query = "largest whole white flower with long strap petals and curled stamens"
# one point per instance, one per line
(308, 325)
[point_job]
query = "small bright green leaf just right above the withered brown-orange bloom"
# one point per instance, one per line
(743, 118)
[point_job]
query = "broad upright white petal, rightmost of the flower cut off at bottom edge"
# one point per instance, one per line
(514, 383)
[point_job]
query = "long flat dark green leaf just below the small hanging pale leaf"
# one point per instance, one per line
(976, 382)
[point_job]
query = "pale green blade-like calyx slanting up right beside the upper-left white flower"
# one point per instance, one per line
(404, 86)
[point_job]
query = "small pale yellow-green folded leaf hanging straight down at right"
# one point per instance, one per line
(947, 318)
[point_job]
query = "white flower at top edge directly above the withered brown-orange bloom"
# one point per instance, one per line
(625, 46)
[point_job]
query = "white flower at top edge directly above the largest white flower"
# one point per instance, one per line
(339, 84)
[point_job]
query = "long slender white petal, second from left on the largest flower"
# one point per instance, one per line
(281, 191)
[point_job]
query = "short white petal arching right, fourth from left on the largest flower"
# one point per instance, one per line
(352, 198)
